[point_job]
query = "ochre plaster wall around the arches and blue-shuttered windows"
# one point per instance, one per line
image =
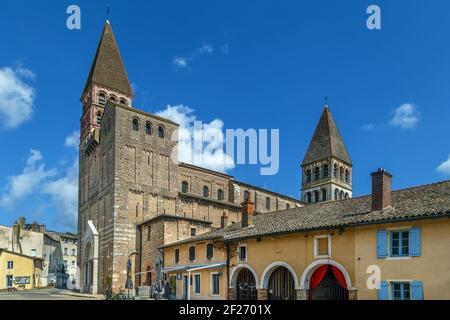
(353, 251)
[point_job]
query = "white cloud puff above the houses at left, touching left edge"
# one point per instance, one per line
(27, 182)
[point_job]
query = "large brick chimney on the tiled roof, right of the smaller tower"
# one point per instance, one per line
(381, 189)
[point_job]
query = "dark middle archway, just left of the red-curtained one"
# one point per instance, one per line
(281, 285)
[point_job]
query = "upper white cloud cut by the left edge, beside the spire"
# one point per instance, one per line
(16, 97)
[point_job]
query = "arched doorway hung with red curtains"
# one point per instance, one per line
(327, 283)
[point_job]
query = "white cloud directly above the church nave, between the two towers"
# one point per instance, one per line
(208, 136)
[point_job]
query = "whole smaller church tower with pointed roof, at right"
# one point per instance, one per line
(326, 167)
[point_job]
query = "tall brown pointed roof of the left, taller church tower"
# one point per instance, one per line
(108, 69)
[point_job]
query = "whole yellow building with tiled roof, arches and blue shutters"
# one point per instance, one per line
(339, 250)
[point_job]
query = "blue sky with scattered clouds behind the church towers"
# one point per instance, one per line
(248, 64)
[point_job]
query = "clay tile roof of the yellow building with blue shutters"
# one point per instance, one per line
(420, 202)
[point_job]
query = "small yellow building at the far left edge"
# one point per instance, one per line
(19, 271)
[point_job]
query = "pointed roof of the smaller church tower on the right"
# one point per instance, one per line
(326, 141)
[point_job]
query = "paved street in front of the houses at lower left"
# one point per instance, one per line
(46, 294)
